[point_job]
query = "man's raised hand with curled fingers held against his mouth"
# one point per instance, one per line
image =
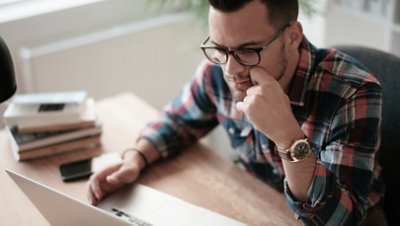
(268, 108)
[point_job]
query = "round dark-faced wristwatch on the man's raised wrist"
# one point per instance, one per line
(298, 151)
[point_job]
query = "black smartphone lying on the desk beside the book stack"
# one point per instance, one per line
(76, 170)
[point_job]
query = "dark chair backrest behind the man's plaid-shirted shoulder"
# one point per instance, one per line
(386, 69)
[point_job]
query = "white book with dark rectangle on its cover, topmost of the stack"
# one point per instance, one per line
(49, 108)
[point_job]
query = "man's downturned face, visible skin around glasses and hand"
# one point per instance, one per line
(246, 28)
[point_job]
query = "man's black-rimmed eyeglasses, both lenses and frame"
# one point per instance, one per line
(245, 56)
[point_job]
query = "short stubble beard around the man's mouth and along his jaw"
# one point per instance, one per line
(238, 90)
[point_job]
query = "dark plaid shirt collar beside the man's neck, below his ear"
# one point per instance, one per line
(301, 77)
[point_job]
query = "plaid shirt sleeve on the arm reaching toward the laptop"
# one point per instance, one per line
(188, 117)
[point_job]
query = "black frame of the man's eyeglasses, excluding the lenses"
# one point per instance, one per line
(232, 52)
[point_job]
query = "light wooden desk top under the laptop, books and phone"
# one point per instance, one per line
(198, 175)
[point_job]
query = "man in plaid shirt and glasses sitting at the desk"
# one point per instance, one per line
(302, 119)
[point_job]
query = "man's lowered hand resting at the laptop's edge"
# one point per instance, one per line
(110, 179)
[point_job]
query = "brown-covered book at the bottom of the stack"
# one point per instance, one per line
(80, 144)
